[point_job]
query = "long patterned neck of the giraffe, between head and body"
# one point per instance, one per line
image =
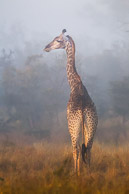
(72, 75)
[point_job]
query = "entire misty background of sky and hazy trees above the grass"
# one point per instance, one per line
(33, 83)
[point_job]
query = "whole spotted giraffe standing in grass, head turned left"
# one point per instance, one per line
(81, 111)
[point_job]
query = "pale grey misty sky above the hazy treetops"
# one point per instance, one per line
(94, 25)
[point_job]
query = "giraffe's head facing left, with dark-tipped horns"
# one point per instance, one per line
(58, 43)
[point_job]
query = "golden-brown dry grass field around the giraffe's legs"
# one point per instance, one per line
(48, 168)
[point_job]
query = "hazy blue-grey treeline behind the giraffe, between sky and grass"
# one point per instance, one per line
(34, 92)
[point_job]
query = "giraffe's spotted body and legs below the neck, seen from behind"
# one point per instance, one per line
(81, 112)
